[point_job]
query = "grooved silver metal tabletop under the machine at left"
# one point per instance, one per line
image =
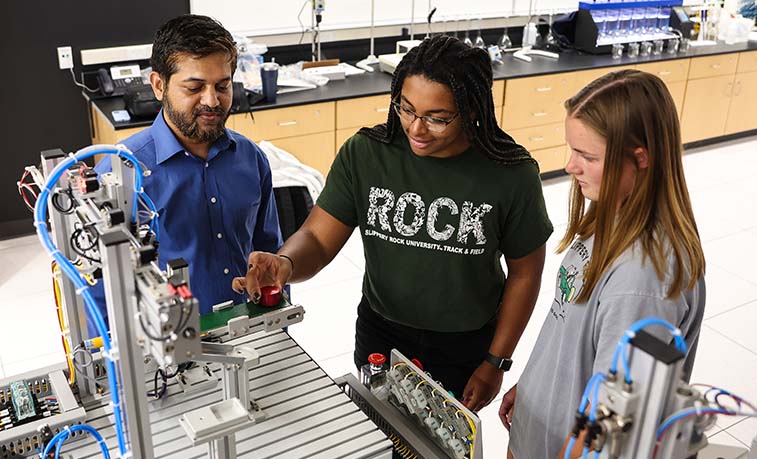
(308, 416)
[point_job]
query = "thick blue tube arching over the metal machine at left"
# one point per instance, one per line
(93, 312)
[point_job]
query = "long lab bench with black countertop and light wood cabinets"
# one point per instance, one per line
(714, 88)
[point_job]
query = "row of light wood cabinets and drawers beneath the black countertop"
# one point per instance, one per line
(714, 96)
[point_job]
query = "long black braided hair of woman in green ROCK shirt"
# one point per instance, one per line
(467, 72)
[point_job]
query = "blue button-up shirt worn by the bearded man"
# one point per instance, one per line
(212, 212)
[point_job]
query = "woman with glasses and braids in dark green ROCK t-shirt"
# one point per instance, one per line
(440, 193)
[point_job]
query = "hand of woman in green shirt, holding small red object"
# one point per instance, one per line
(263, 269)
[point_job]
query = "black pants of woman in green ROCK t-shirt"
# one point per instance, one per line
(449, 357)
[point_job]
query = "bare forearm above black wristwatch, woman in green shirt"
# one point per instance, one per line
(517, 305)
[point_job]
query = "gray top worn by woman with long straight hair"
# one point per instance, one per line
(578, 340)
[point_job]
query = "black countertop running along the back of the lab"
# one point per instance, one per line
(371, 84)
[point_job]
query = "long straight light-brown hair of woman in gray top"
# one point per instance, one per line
(630, 110)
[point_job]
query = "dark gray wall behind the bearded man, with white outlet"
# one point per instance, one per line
(40, 108)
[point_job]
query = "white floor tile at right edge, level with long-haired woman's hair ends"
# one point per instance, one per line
(726, 291)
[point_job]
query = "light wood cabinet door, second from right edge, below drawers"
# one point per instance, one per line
(705, 108)
